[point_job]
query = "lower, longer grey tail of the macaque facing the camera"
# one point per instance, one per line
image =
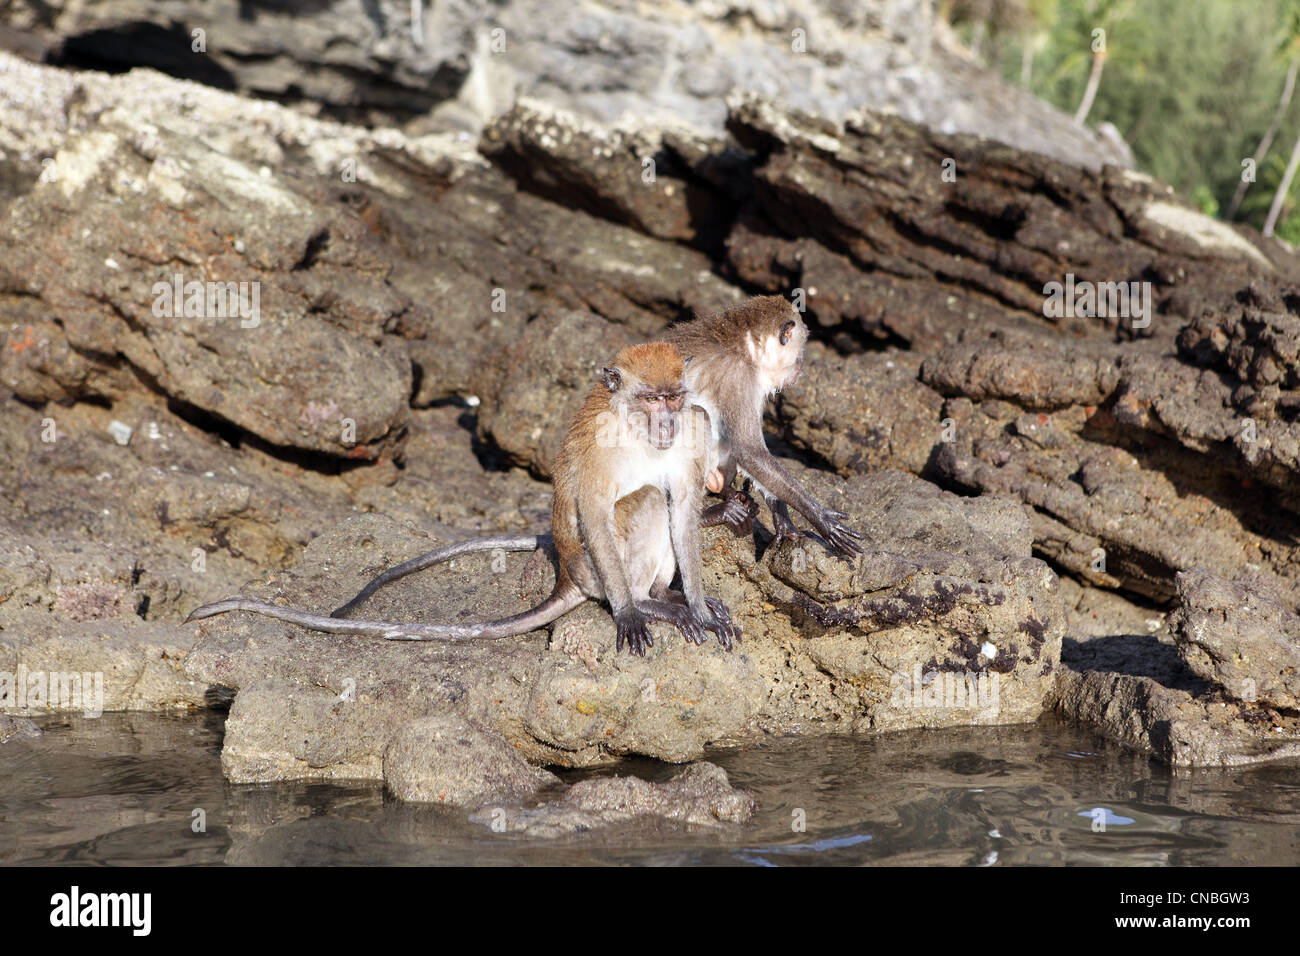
(561, 602)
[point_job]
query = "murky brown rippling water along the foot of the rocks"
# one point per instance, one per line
(123, 790)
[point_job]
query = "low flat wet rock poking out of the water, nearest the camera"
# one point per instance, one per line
(701, 795)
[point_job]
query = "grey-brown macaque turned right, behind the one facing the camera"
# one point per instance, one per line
(738, 360)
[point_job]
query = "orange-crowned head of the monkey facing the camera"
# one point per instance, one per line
(648, 383)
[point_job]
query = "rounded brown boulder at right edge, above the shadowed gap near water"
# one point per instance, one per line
(1241, 637)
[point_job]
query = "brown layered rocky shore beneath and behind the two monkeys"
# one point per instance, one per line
(1089, 513)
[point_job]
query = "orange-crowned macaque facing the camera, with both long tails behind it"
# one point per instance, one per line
(630, 485)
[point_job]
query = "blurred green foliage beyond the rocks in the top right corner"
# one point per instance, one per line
(1191, 85)
